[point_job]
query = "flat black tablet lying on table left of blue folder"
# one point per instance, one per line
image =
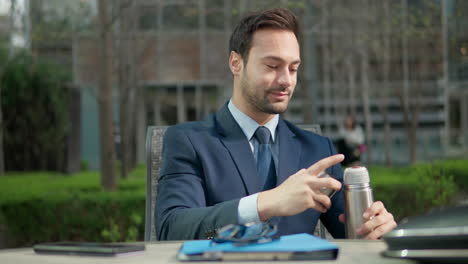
(87, 248)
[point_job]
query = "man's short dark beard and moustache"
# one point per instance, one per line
(260, 101)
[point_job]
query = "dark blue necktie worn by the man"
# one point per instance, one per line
(265, 164)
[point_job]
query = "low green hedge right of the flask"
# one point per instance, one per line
(417, 189)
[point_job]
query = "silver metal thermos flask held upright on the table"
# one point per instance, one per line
(358, 197)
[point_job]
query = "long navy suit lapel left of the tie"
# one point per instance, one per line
(238, 146)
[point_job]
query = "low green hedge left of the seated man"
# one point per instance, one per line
(41, 207)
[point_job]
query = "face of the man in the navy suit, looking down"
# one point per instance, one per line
(268, 78)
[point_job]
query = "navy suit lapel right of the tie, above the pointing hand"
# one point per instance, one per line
(289, 152)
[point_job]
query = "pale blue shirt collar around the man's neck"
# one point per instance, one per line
(248, 125)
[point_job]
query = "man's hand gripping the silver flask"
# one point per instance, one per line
(377, 221)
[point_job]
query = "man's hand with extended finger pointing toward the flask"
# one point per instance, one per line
(300, 192)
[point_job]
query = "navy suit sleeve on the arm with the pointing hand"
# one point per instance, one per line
(181, 210)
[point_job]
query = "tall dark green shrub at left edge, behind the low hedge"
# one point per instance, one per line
(34, 103)
